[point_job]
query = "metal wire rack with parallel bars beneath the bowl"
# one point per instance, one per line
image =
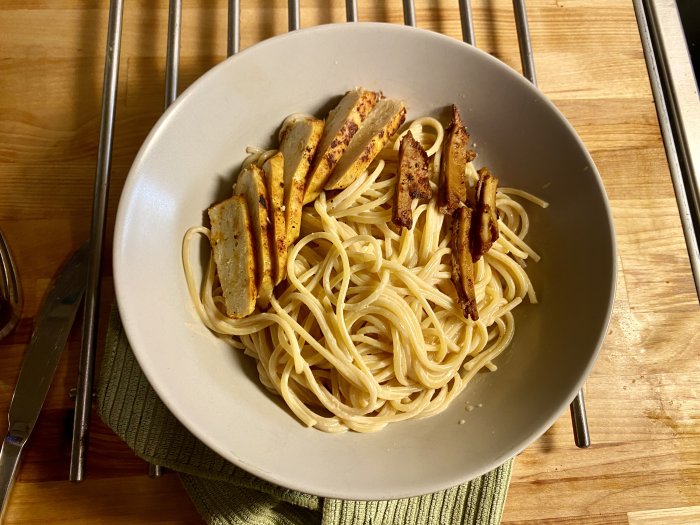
(109, 100)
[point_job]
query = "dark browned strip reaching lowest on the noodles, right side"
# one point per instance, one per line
(462, 265)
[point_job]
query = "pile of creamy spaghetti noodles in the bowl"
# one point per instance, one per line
(367, 329)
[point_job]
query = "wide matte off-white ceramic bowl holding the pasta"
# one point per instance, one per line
(189, 161)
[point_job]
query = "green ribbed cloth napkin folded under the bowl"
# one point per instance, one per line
(227, 495)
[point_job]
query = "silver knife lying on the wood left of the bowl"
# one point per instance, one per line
(53, 325)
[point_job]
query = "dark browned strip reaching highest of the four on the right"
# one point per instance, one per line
(455, 155)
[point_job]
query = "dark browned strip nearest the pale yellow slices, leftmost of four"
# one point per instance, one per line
(412, 181)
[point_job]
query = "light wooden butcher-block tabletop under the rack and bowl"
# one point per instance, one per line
(644, 393)
